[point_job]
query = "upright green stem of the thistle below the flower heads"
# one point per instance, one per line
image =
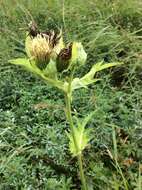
(79, 156)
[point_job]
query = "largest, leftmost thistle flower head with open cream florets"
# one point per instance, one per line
(43, 46)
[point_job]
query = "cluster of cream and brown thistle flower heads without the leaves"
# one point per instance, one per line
(43, 47)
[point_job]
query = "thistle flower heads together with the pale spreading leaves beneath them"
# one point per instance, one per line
(48, 56)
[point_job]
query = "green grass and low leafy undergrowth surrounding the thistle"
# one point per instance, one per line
(33, 143)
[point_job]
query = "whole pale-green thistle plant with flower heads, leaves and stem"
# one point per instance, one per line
(56, 62)
